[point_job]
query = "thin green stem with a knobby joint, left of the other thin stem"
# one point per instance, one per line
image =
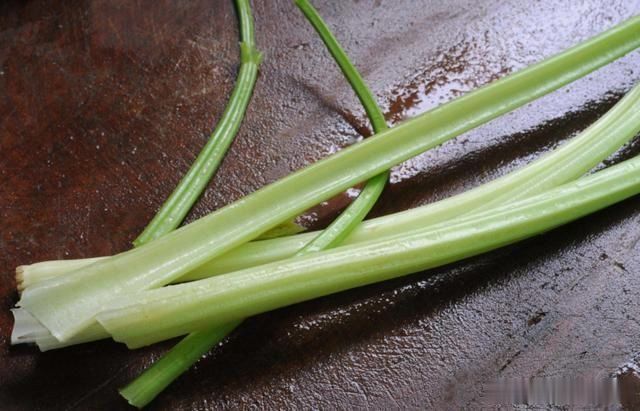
(176, 207)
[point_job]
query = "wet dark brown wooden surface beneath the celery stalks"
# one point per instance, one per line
(103, 106)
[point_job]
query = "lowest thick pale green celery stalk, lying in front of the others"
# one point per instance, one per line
(162, 313)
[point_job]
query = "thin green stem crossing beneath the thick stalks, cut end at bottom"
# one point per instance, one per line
(186, 353)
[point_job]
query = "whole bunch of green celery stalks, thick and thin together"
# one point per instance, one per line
(203, 279)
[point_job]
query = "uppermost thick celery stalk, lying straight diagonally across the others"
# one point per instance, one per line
(65, 305)
